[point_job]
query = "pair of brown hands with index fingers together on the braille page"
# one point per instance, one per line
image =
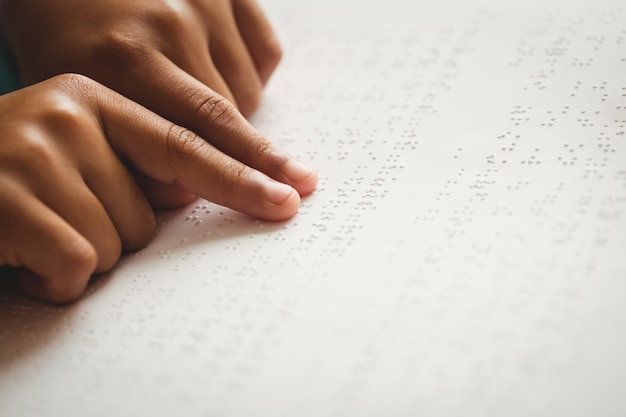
(82, 167)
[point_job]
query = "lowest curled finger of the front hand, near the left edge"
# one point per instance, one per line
(60, 258)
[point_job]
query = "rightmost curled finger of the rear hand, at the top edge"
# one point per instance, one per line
(259, 37)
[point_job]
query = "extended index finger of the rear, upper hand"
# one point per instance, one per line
(189, 103)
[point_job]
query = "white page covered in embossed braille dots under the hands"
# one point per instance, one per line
(464, 254)
